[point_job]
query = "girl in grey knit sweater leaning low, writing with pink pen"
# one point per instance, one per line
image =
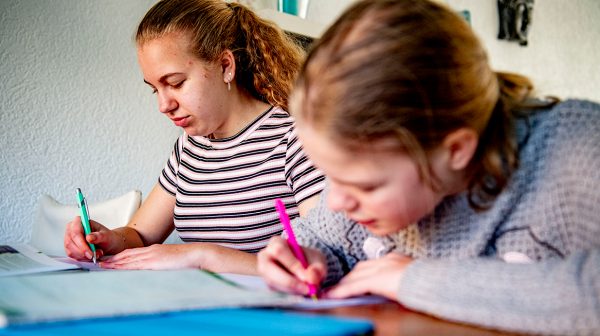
(450, 190)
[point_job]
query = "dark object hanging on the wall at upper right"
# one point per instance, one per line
(515, 20)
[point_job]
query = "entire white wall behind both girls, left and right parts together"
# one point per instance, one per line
(75, 113)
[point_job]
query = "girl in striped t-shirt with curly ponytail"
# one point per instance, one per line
(222, 74)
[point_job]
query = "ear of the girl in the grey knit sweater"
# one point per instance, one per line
(460, 145)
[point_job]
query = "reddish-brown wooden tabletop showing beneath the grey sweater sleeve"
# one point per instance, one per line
(393, 319)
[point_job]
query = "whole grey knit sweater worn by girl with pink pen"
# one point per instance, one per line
(549, 214)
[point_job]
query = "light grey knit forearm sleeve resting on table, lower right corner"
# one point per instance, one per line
(555, 297)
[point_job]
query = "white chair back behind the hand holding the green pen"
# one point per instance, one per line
(52, 217)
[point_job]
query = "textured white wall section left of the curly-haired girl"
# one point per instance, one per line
(74, 111)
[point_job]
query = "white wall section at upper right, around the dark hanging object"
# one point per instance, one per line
(564, 45)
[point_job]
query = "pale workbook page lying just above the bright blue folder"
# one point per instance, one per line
(79, 295)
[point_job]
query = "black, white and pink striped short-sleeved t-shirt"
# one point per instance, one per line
(225, 188)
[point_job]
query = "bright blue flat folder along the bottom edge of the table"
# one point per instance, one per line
(239, 322)
